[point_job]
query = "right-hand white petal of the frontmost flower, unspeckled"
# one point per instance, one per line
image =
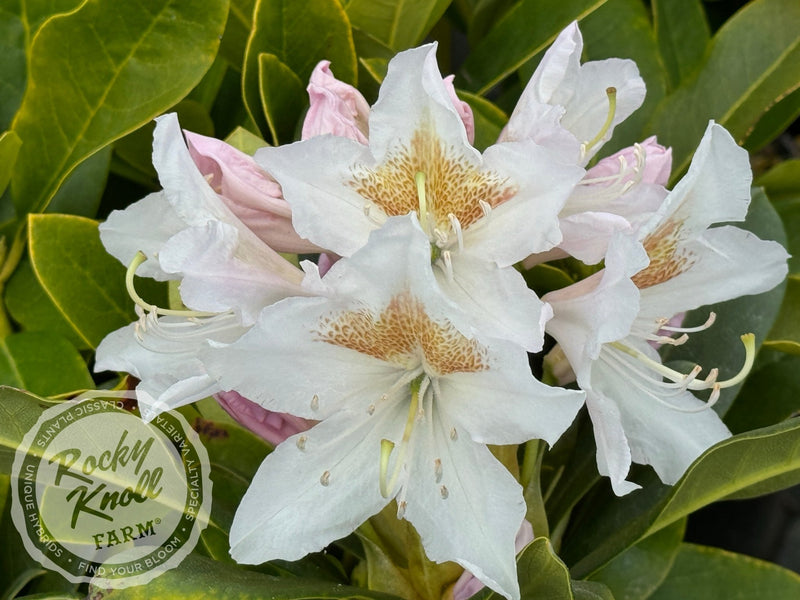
(506, 404)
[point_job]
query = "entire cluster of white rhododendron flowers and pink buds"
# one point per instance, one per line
(383, 370)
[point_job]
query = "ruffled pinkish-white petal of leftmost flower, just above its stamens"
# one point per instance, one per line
(216, 280)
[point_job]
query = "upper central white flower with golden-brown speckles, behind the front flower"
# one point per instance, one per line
(481, 213)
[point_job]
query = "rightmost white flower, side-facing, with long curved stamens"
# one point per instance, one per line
(603, 323)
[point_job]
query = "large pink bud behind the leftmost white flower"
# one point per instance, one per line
(250, 193)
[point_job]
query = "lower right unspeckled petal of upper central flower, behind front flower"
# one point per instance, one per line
(498, 300)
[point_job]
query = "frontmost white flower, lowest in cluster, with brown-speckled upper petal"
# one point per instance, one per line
(407, 402)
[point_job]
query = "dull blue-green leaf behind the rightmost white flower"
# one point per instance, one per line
(748, 314)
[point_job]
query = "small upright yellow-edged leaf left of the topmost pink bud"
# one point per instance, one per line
(282, 97)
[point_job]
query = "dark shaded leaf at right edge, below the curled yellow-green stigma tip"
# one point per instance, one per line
(771, 394)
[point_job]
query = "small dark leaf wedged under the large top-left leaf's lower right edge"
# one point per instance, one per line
(82, 190)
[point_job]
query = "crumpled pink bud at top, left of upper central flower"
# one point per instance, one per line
(336, 107)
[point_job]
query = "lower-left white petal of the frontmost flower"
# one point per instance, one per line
(300, 500)
